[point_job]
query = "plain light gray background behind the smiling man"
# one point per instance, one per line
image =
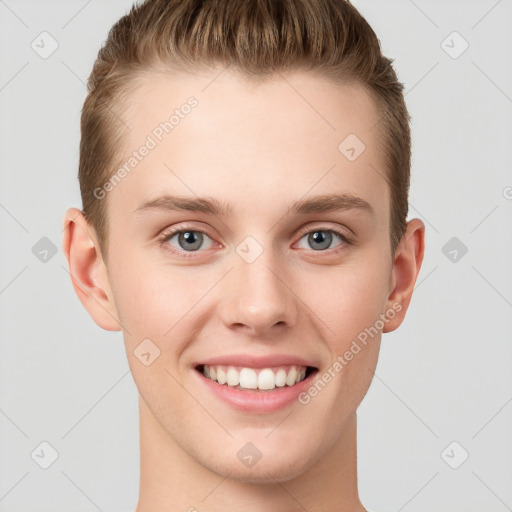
(444, 376)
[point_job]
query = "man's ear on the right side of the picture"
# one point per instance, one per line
(406, 267)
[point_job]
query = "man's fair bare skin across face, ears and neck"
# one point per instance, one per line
(259, 148)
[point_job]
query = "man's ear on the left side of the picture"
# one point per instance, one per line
(88, 271)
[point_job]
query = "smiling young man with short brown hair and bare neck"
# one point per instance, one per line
(244, 170)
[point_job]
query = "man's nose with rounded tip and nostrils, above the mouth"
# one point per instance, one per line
(257, 298)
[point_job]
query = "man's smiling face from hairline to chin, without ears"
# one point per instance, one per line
(276, 256)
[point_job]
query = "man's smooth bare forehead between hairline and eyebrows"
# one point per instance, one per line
(217, 133)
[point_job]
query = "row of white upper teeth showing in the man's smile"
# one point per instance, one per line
(248, 378)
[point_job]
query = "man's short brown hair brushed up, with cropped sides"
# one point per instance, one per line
(257, 38)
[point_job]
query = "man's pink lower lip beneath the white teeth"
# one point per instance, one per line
(254, 400)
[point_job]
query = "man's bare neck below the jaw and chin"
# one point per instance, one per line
(170, 479)
